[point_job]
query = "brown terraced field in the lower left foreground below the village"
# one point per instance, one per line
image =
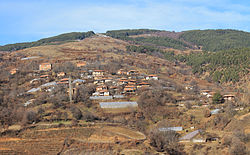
(55, 140)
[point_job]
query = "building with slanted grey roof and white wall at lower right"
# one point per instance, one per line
(194, 137)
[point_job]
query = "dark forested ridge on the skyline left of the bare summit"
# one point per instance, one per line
(60, 39)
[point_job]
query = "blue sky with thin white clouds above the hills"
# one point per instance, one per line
(31, 20)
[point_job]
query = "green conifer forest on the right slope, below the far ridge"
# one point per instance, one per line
(223, 66)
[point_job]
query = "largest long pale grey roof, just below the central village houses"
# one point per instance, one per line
(118, 104)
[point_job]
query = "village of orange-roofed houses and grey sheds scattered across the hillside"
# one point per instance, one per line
(114, 91)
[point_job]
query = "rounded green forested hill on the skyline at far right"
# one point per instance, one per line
(216, 40)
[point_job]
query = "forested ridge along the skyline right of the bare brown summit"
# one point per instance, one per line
(209, 40)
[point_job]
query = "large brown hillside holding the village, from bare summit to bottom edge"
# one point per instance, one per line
(104, 95)
